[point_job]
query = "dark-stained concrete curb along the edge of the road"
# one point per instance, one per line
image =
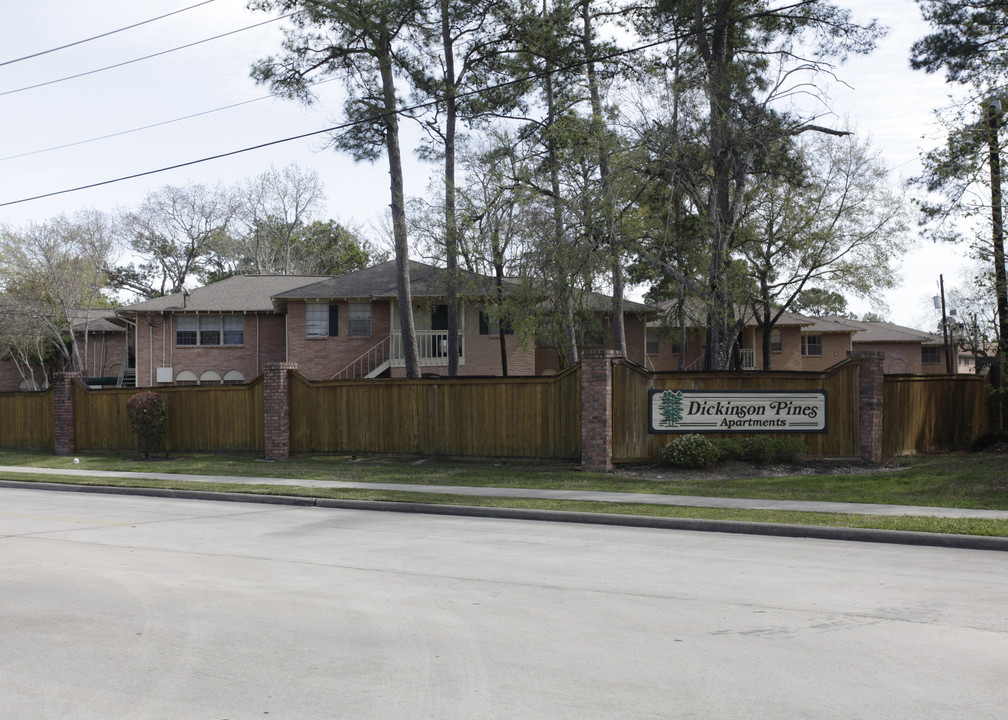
(858, 535)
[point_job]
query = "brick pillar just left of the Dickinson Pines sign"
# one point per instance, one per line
(597, 409)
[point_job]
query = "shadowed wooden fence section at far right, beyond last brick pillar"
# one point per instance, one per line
(929, 413)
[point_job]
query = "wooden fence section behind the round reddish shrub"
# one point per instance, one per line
(201, 419)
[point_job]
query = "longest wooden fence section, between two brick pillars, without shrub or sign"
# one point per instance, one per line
(500, 418)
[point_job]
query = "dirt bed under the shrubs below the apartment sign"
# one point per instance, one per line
(736, 469)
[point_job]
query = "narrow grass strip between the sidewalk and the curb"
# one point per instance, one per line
(912, 524)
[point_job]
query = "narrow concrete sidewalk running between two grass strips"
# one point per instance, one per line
(859, 509)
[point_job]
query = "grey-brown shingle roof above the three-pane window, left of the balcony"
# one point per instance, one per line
(240, 294)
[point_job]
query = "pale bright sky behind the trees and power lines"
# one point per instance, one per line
(878, 96)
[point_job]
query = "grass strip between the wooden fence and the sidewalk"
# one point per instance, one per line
(977, 481)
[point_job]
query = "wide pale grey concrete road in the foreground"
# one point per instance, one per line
(133, 608)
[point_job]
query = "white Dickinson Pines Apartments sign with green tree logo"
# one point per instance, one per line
(732, 412)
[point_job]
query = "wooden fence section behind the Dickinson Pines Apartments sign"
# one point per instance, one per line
(632, 384)
